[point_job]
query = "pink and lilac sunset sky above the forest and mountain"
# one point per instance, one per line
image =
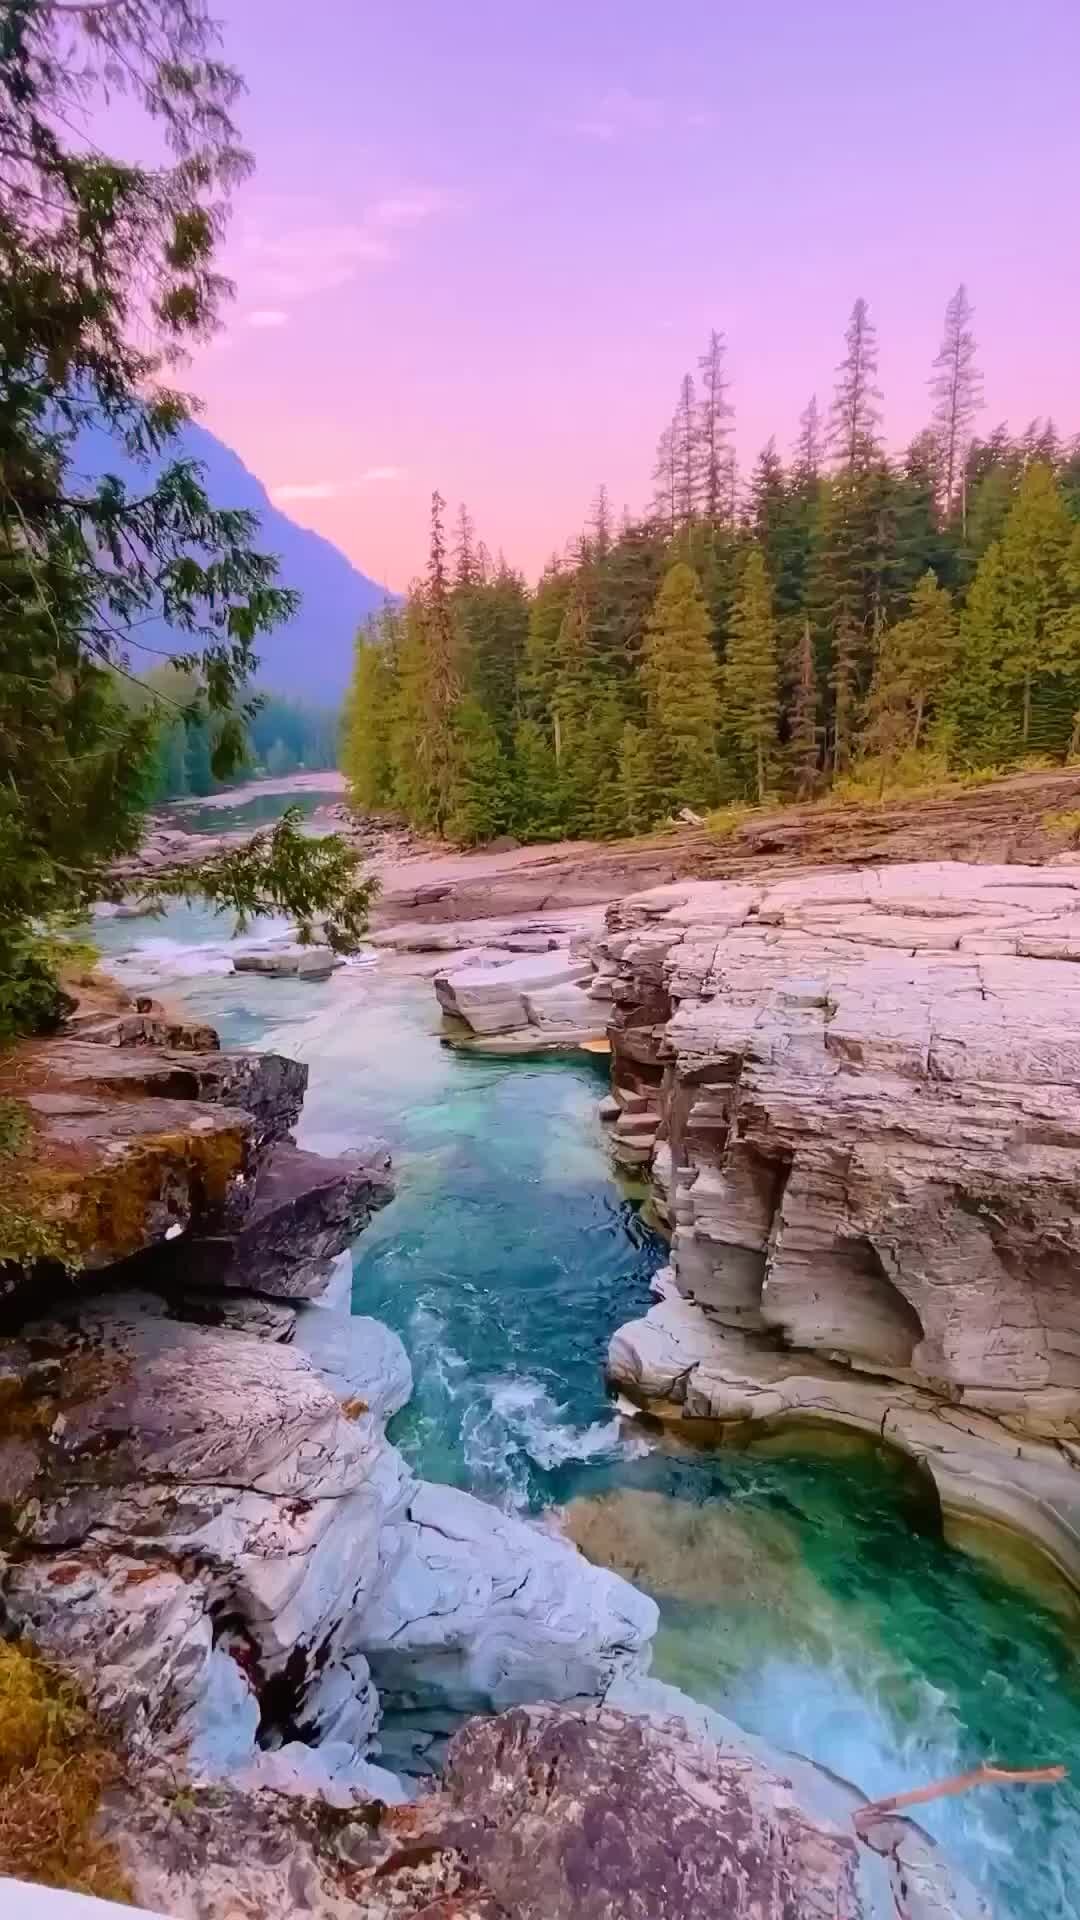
(487, 239)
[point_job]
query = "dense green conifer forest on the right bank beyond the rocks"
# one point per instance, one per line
(835, 615)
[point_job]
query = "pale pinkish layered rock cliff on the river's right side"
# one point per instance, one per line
(858, 1095)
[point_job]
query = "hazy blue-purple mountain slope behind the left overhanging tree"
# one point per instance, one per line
(312, 656)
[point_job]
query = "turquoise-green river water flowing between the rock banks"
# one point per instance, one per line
(808, 1598)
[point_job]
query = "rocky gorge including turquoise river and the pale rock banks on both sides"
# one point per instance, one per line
(301, 1470)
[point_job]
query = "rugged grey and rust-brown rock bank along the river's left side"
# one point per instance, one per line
(207, 1525)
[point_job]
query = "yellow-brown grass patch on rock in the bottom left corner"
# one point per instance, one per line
(55, 1769)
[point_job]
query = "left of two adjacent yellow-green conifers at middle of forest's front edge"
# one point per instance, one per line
(681, 688)
